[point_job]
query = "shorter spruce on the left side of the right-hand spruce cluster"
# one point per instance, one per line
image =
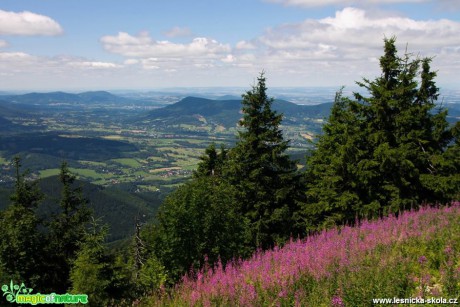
(331, 194)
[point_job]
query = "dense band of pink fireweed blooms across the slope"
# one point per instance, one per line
(315, 257)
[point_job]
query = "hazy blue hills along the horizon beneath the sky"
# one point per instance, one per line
(224, 111)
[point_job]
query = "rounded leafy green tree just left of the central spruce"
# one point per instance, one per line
(197, 224)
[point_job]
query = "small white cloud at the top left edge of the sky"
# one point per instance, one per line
(27, 23)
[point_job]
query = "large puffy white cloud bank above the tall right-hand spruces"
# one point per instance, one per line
(351, 28)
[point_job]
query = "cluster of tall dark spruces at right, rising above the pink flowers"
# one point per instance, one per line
(385, 152)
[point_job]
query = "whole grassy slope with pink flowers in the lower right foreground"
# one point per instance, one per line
(417, 254)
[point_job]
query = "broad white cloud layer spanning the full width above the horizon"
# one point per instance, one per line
(335, 50)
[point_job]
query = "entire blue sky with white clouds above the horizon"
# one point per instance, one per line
(151, 44)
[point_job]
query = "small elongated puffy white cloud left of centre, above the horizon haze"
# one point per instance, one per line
(144, 46)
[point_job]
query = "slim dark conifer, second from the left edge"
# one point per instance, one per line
(67, 230)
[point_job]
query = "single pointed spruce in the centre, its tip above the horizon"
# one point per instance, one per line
(265, 177)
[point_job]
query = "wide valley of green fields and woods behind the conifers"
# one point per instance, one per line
(119, 146)
